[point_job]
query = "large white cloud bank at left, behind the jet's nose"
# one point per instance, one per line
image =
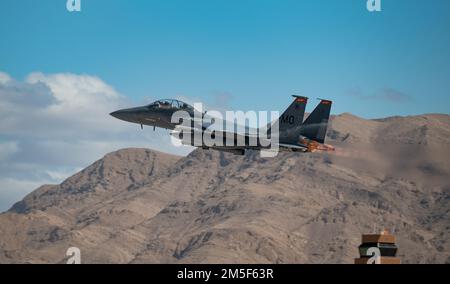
(54, 124)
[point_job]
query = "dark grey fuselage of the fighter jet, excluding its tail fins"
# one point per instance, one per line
(161, 114)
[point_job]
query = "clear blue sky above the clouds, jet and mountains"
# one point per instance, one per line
(257, 52)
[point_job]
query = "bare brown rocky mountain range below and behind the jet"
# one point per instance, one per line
(142, 206)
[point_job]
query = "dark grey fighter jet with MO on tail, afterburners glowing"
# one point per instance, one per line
(294, 134)
